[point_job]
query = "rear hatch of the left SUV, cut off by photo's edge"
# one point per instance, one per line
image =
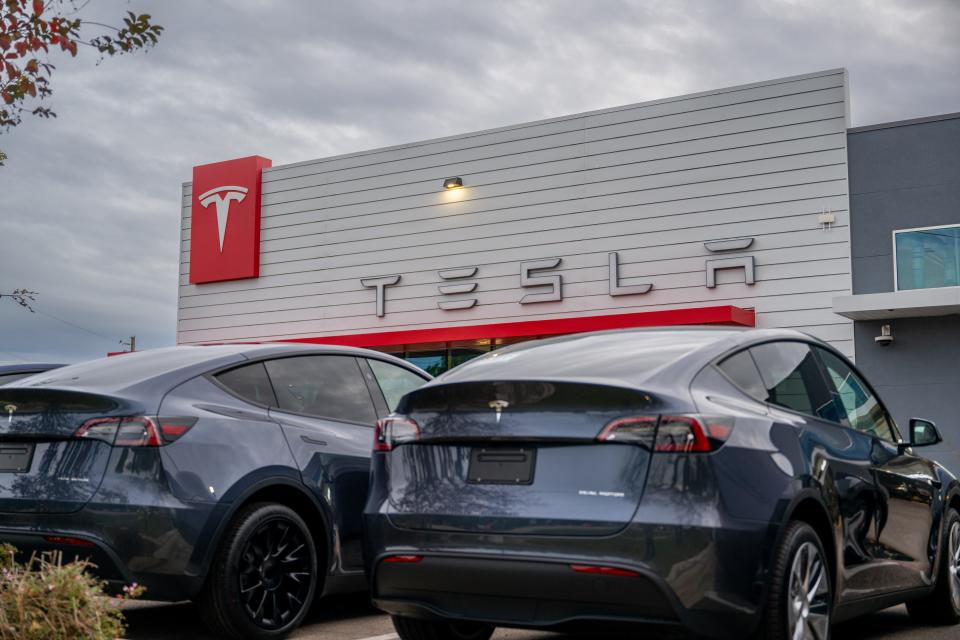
(44, 466)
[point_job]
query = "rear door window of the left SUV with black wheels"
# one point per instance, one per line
(322, 386)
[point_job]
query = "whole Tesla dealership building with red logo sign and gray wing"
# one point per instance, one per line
(754, 205)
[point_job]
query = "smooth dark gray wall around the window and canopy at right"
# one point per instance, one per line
(901, 177)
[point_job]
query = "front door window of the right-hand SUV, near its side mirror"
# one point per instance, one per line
(856, 405)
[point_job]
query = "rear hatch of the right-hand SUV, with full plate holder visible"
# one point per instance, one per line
(520, 458)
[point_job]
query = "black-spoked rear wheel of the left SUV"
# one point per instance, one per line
(263, 577)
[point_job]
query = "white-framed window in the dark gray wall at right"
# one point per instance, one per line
(927, 258)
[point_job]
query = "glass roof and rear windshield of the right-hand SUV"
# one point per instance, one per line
(638, 358)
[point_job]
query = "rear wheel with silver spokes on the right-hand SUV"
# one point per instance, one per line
(801, 587)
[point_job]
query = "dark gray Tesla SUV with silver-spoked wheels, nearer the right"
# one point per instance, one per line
(735, 483)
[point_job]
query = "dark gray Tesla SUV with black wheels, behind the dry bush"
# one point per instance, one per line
(233, 475)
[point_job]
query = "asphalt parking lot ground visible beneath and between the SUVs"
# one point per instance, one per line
(354, 619)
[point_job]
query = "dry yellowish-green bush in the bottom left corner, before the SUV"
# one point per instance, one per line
(44, 599)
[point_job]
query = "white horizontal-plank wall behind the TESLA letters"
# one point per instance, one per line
(651, 181)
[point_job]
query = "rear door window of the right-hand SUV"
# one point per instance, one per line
(791, 378)
